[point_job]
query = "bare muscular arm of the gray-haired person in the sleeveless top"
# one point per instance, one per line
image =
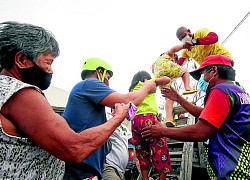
(50, 131)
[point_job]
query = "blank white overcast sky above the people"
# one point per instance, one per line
(129, 34)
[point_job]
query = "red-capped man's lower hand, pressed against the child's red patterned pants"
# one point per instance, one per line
(153, 131)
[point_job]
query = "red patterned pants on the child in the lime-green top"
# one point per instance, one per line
(156, 149)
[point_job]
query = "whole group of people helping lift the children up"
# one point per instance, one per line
(37, 143)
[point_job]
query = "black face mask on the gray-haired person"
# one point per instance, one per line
(36, 76)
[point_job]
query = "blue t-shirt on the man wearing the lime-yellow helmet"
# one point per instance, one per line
(83, 111)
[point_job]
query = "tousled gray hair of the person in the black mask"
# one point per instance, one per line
(32, 40)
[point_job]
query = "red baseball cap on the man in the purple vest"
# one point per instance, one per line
(210, 61)
